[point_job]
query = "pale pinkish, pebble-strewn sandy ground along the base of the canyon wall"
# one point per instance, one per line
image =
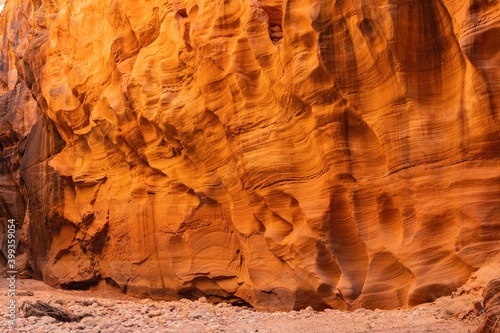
(120, 313)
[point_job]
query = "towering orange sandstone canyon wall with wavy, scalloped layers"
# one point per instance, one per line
(273, 153)
